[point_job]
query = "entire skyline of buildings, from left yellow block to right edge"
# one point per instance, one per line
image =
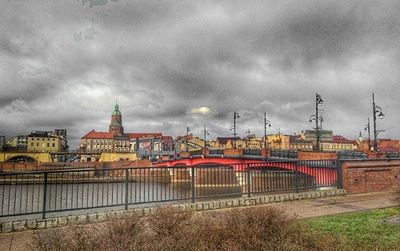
(151, 144)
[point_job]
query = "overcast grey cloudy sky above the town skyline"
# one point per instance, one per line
(172, 64)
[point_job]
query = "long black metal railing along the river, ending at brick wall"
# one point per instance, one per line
(58, 191)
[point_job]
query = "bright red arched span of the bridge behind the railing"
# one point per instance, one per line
(324, 171)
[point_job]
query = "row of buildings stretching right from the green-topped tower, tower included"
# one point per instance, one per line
(145, 144)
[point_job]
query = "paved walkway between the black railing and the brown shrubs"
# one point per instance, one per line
(301, 208)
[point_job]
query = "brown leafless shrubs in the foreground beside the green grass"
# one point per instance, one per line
(258, 228)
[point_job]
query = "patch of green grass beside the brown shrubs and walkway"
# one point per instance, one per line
(362, 230)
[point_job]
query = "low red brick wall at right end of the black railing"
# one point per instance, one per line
(370, 176)
